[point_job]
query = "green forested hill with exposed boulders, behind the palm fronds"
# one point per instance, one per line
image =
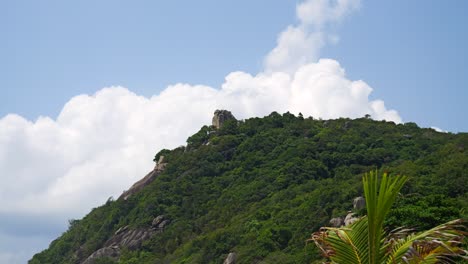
(253, 191)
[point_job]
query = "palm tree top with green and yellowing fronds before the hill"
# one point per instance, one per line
(365, 241)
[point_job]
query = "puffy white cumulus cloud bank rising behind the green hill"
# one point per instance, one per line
(57, 169)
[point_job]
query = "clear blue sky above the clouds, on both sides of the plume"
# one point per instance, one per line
(412, 53)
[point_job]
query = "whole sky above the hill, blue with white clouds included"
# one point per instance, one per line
(91, 90)
